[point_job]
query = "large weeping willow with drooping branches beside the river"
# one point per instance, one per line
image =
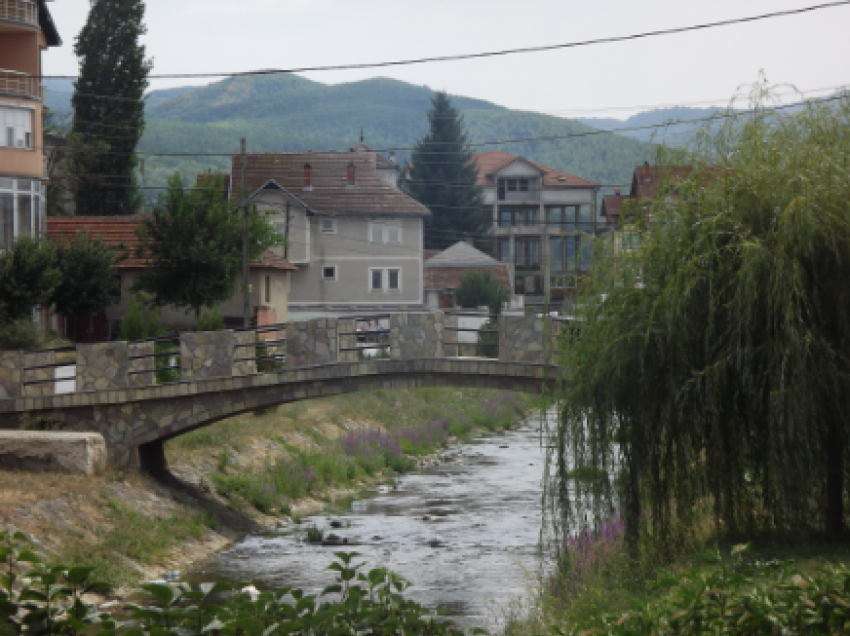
(710, 379)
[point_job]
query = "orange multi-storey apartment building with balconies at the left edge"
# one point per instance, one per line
(26, 30)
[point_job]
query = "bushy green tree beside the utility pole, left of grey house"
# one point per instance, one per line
(193, 241)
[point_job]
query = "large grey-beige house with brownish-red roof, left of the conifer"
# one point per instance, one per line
(354, 235)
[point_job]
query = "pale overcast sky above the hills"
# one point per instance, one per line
(808, 51)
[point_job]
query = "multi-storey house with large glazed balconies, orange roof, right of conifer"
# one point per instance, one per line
(544, 222)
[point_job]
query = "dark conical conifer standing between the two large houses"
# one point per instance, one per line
(443, 177)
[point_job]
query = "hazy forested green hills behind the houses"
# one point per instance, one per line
(291, 113)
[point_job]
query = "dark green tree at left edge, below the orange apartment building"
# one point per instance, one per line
(28, 276)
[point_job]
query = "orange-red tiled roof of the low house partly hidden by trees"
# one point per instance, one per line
(120, 233)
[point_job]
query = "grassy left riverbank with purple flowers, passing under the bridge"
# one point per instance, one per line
(133, 529)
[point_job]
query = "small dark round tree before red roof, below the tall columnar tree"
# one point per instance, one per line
(89, 276)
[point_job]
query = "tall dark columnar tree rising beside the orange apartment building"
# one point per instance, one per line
(109, 106)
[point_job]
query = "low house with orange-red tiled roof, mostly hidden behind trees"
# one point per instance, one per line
(269, 280)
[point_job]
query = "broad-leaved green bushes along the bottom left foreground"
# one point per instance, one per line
(49, 599)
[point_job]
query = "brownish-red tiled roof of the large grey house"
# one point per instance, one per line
(329, 194)
